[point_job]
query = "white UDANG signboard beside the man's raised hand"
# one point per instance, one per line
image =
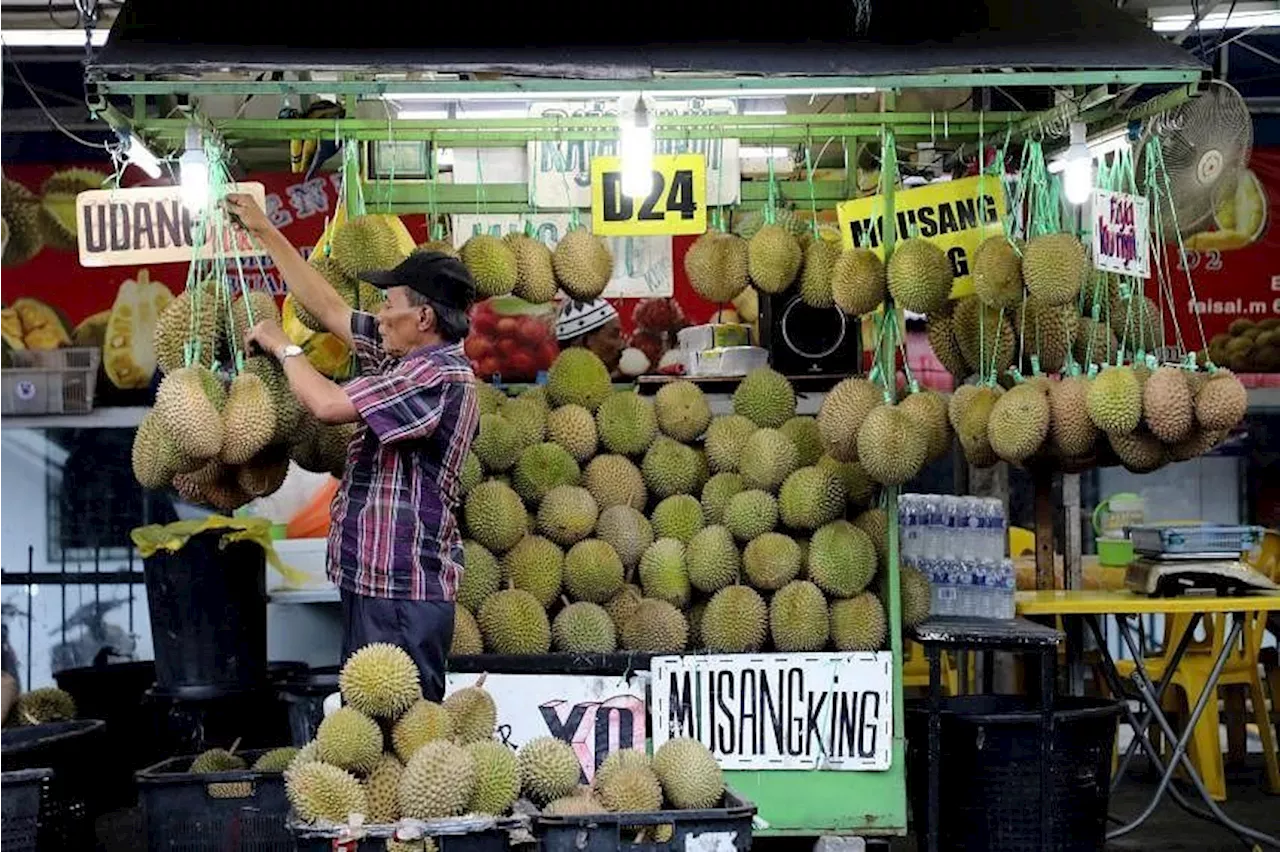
(144, 226)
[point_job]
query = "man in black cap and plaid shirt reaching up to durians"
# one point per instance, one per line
(395, 549)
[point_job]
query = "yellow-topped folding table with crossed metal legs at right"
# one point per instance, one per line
(1123, 604)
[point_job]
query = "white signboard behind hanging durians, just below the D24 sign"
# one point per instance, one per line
(643, 267)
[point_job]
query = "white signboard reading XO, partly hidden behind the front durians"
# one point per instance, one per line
(597, 716)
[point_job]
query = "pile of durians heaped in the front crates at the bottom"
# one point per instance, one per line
(390, 754)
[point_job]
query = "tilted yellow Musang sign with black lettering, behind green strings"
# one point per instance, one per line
(954, 216)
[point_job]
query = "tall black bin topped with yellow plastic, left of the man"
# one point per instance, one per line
(208, 604)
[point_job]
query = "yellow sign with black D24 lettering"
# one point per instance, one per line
(675, 205)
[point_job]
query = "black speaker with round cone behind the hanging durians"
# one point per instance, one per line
(810, 342)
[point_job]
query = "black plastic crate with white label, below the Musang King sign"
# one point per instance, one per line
(611, 832)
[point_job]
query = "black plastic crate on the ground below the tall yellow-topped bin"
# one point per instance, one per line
(214, 812)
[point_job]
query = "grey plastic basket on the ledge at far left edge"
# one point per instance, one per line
(51, 382)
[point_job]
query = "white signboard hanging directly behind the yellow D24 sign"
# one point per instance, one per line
(561, 172)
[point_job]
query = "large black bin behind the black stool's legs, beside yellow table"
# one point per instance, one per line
(990, 772)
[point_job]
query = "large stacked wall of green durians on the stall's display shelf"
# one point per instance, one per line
(598, 520)
